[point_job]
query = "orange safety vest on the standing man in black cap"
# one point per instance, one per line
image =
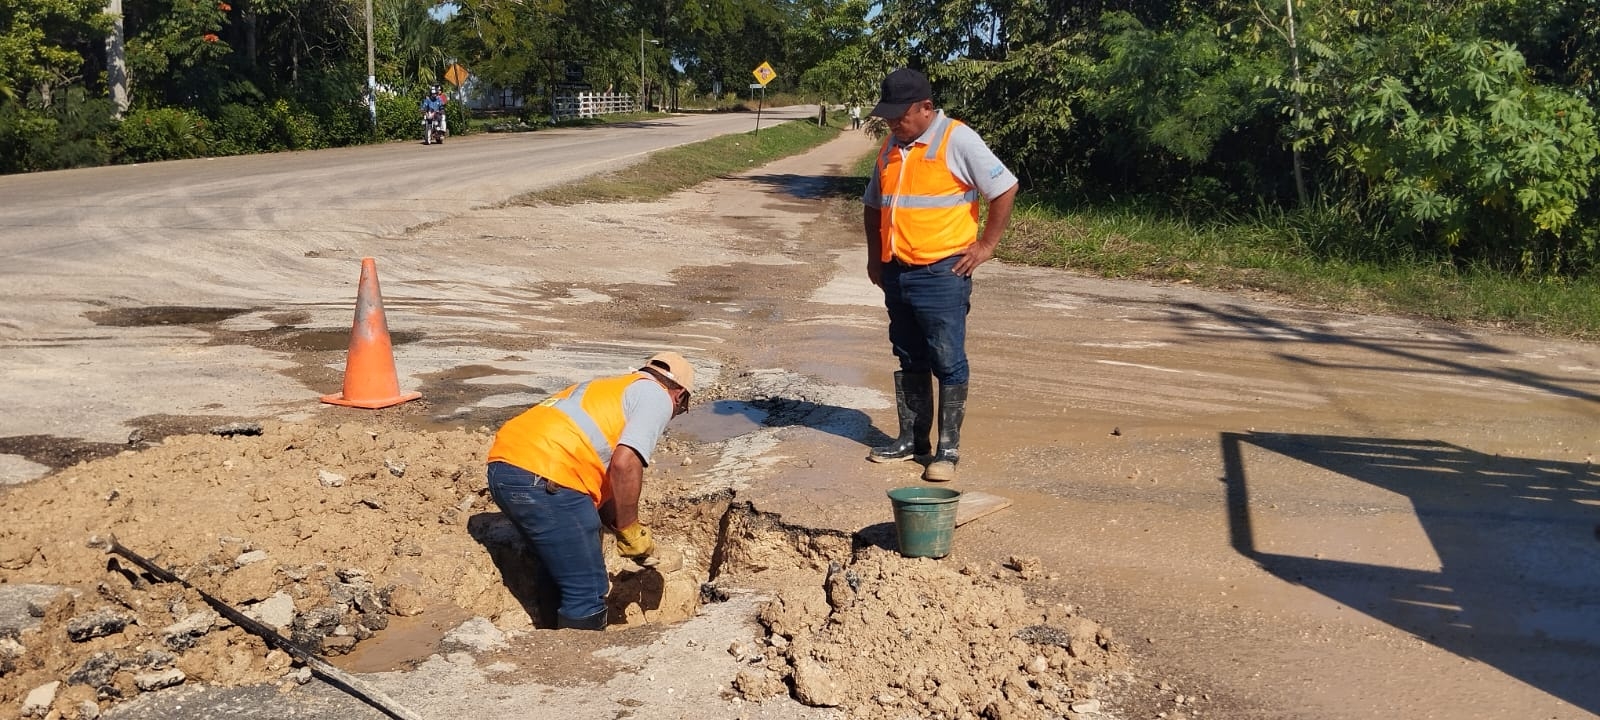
(926, 212)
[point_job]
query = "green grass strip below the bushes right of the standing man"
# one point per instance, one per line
(1278, 255)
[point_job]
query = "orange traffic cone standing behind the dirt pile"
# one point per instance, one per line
(370, 370)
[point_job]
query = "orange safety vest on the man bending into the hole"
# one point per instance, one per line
(569, 438)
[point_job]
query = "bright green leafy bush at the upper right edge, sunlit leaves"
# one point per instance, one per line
(1449, 142)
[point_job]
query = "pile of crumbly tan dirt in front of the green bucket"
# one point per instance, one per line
(898, 638)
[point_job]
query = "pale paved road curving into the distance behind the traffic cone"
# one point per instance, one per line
(103, 214)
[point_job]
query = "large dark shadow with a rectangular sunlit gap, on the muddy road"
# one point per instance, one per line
(1519, 582)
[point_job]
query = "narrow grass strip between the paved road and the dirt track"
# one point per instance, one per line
(676, 169)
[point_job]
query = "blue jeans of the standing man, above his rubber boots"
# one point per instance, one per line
(929, 311)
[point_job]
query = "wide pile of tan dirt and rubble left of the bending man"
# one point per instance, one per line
(321, 532)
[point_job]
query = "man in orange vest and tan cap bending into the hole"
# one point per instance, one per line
(574, 465)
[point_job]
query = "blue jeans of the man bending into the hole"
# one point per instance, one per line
(564, 529)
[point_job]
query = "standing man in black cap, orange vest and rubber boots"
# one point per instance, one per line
(924, 242)
